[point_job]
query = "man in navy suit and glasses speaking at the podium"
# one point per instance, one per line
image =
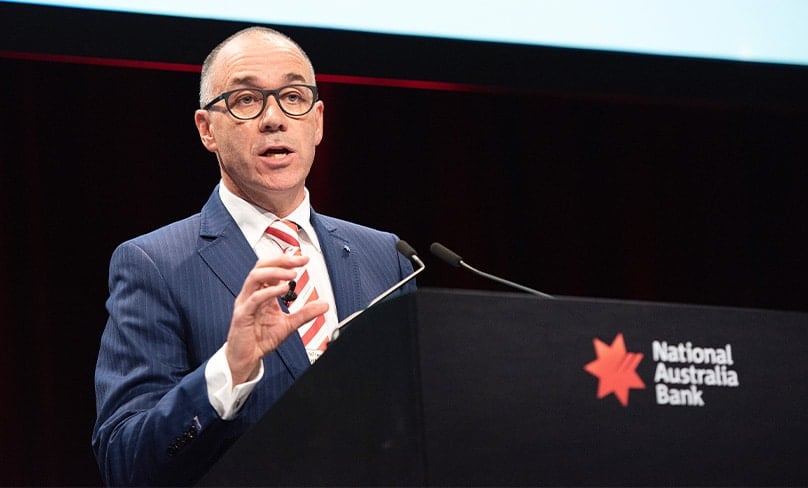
(204, 328)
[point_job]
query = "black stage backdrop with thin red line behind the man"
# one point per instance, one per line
(575, 172)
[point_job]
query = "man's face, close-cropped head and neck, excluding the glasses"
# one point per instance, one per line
(264, 160)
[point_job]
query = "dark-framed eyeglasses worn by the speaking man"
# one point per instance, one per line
(249, 103)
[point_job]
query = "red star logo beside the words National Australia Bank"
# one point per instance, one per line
(615, 368)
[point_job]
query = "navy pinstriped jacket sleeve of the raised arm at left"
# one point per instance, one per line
(155, 424)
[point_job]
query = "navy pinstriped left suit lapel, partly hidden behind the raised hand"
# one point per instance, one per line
(229, 256)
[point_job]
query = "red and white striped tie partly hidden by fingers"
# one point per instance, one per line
(314, 337)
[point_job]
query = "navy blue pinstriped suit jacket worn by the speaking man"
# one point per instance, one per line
(170, 305)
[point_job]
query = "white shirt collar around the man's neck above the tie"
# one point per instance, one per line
(254, 220)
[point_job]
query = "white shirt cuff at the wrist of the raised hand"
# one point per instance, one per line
(225, 399)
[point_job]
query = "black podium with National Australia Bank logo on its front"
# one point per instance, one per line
(464, 388)
